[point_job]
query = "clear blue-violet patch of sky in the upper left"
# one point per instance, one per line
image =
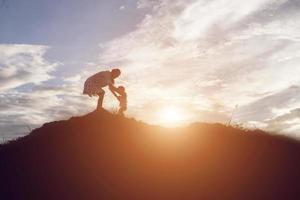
(73, 29)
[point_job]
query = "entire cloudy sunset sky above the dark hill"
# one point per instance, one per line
(202, 60)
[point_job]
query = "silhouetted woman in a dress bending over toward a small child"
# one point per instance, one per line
(94, 84)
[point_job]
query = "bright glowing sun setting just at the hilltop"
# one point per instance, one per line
(171, 116)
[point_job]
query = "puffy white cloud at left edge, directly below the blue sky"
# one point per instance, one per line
(23, 64)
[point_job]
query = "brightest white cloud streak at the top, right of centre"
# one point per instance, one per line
(198, 18)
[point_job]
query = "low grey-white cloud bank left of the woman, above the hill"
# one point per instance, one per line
(20, 110)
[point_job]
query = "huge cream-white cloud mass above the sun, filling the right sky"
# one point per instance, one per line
(212, 55)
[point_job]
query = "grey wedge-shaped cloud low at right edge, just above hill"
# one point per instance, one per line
(278, 112)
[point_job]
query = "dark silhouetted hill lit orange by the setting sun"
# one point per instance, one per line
(104, 156)
